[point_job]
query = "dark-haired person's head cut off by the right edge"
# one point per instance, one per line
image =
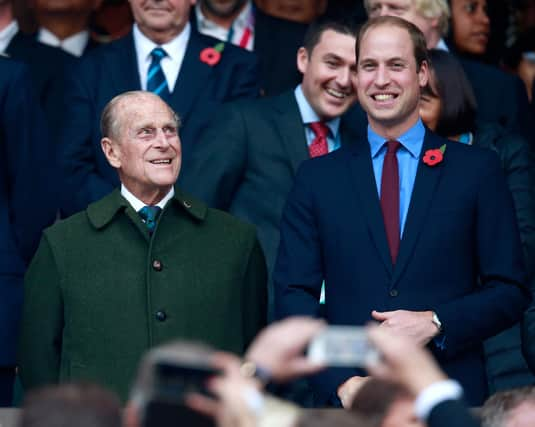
(520, 58)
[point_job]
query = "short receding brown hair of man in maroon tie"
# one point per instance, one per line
(417, 37)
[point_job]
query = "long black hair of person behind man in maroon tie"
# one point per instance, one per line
(458, 102)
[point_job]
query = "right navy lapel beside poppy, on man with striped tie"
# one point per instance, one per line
(192, 78)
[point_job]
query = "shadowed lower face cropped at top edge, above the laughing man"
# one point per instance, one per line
(304, 11)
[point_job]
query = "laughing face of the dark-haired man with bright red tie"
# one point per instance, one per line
(329, 74)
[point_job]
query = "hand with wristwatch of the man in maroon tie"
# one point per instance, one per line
(416, 325)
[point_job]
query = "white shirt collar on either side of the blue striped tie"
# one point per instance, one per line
(176, 49)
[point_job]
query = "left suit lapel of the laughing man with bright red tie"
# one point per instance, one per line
(287, 121)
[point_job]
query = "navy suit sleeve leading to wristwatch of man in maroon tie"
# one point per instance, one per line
(499, 300)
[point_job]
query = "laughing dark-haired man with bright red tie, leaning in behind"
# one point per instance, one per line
(245, 162)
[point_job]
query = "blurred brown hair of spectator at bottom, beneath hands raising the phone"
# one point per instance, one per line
(374, 399)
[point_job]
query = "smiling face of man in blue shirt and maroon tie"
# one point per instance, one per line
(389, 80)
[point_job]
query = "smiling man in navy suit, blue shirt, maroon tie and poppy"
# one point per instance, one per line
(405, 228)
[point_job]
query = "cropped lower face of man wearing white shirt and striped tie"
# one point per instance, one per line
(161, 20)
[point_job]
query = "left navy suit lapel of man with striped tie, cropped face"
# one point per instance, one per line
(123, 65)
